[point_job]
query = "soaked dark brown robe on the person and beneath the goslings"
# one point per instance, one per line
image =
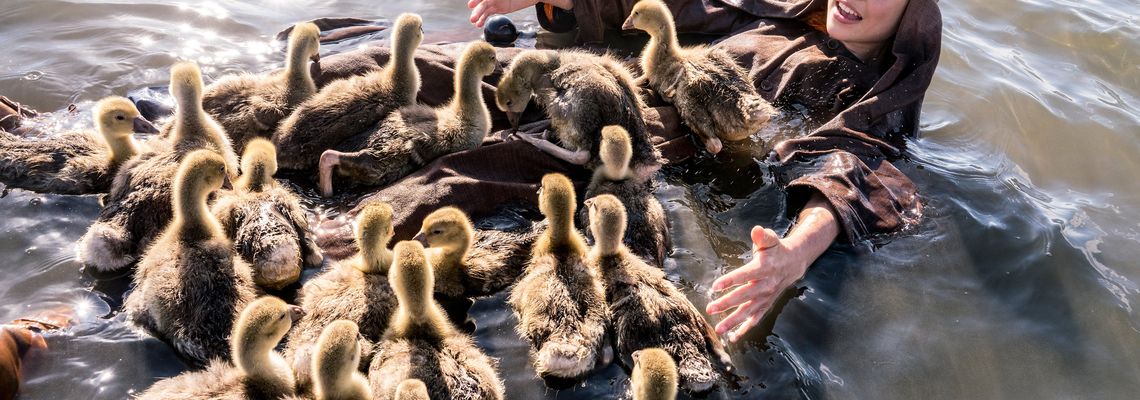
(865, 111)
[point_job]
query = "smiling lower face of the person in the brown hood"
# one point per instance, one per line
(864, 23)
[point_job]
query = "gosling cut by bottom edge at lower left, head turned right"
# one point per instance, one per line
(256, 372)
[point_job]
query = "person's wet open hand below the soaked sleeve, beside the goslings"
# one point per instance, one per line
(776, 266)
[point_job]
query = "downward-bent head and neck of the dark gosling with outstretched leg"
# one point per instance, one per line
(518, 83)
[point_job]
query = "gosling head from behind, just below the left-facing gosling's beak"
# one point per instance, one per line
(412, 280)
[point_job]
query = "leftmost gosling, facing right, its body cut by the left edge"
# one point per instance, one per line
(75, 164)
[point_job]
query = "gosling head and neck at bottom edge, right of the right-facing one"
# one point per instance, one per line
(336, 362)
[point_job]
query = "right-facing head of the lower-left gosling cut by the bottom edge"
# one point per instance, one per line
(263, 324)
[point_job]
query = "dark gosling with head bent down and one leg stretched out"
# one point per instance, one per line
(581, 93)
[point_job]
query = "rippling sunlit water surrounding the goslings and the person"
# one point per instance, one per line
(1021, 283)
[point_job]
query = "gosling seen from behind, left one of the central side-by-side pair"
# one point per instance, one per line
(559, 301)
